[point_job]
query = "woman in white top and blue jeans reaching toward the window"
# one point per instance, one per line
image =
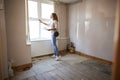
(53, 28)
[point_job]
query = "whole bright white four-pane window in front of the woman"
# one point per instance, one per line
(39, 10)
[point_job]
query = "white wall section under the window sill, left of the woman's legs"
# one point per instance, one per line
(39, 48)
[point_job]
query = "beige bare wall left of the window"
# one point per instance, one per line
(18, 51)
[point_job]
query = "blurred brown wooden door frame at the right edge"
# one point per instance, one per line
(116, 61)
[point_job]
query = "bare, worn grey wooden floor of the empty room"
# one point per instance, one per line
(71, 67)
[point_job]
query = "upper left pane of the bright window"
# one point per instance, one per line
(32, 8)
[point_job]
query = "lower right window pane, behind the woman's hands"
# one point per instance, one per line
(45, 34)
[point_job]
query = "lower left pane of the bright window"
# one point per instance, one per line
(34, 29)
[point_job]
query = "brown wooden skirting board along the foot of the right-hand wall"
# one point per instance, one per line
(95, 58)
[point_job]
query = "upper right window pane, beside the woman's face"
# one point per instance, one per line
(47, 9)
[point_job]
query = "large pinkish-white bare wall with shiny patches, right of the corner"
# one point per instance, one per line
(91, 26)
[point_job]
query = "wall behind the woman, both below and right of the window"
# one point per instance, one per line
(42, 47)
